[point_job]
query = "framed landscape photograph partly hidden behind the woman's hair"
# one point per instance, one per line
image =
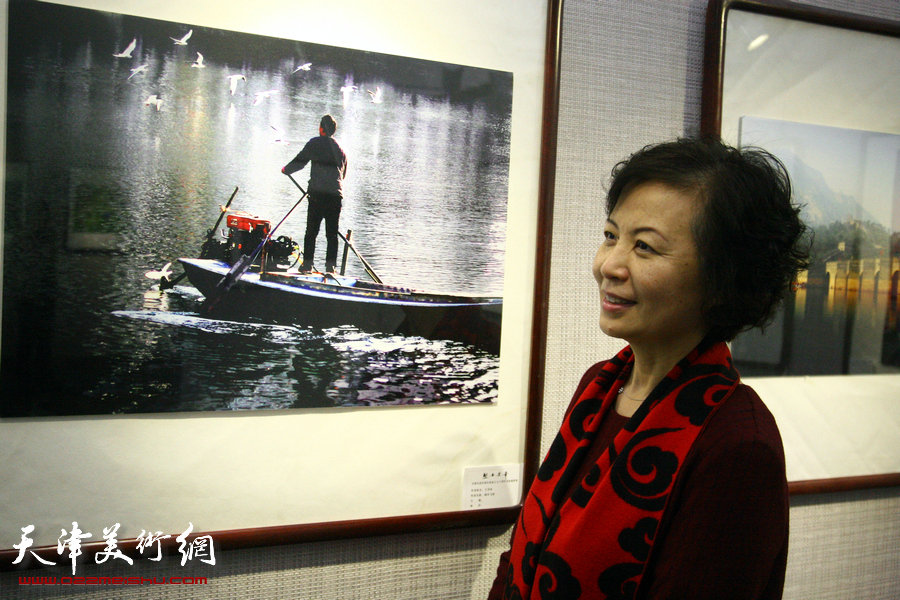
(818, 89)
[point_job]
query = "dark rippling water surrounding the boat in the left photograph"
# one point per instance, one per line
(102, 187)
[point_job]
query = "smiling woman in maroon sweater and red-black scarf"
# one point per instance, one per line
(667, 478)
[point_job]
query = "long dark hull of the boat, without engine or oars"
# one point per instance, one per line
(332, 301)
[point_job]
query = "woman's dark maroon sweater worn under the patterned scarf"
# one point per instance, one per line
(726, 534)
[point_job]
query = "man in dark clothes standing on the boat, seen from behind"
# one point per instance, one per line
(326, 176)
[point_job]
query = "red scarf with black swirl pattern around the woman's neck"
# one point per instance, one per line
(596, 542)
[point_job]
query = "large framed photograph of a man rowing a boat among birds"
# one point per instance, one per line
(166, 357)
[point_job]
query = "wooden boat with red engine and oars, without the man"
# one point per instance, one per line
(247, 275)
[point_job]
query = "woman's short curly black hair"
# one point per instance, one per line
(749, 235)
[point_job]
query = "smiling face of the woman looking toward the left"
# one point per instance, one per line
(648, 269)
